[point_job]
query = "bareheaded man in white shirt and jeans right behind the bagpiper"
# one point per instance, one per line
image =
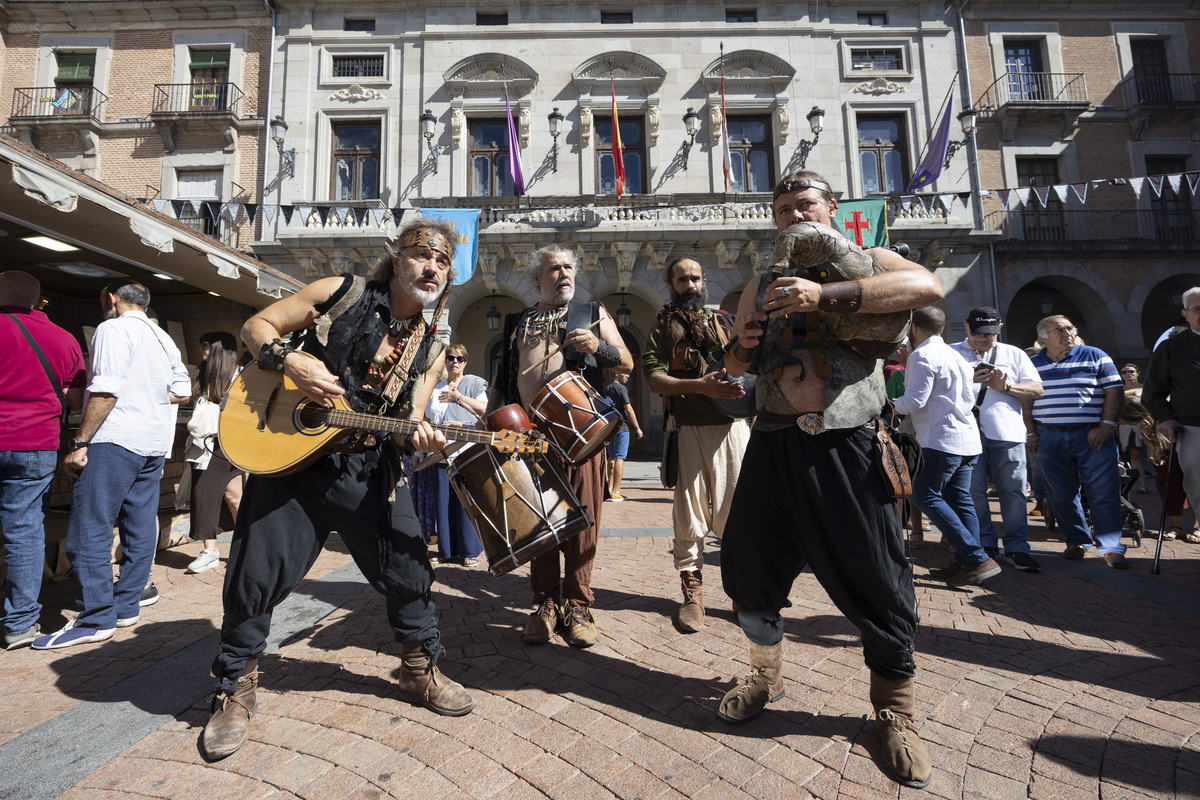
(939, 398)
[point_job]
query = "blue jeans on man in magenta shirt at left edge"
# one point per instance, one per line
(26, 479)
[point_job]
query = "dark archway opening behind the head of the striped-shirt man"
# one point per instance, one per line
(1071, 290)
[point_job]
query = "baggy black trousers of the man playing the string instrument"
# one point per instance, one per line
(283, 525)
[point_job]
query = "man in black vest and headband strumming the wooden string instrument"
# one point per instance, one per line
(369, 339)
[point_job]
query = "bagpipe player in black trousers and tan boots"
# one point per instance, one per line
(811, 492)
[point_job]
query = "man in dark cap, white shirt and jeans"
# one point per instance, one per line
(1004, 377)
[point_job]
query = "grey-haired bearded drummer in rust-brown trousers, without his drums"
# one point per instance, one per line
(590, 344)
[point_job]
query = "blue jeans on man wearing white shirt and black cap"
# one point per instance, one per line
(1007, 464)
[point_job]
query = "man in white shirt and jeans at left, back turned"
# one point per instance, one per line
(135, 383)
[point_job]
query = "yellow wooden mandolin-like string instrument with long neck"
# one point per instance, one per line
(269, 428)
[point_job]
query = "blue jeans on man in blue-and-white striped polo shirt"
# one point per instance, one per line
(1069, 462)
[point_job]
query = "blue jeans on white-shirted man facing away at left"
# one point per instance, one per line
(117, 488)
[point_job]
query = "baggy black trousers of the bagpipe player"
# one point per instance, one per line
(820, 502)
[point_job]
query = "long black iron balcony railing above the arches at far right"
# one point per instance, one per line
(1052, 225)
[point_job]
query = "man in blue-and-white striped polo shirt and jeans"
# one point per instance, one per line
(1071, 432)
